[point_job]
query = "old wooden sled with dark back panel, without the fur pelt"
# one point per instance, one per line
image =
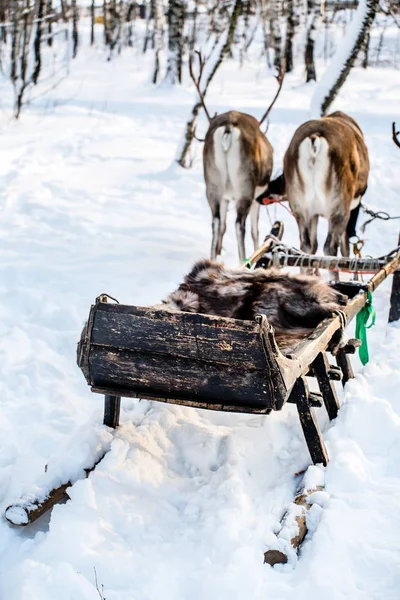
(217, 363)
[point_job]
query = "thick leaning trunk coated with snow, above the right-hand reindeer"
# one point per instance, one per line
(344, 61)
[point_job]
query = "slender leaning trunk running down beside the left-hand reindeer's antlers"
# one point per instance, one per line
(227, 43)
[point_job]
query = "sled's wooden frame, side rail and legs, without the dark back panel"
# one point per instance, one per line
(286, 374)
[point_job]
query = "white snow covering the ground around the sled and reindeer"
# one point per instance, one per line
(185, 502)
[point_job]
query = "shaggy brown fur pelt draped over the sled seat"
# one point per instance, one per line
(293, 304)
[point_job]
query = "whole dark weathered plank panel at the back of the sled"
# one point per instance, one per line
(192, 359)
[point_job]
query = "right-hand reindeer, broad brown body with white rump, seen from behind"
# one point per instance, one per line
(326, 169)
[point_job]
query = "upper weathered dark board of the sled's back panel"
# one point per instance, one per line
(185, 335)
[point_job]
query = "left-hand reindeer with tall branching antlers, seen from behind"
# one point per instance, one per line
(237, 161)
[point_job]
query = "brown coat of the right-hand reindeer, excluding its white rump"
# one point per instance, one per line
(345, 184)
